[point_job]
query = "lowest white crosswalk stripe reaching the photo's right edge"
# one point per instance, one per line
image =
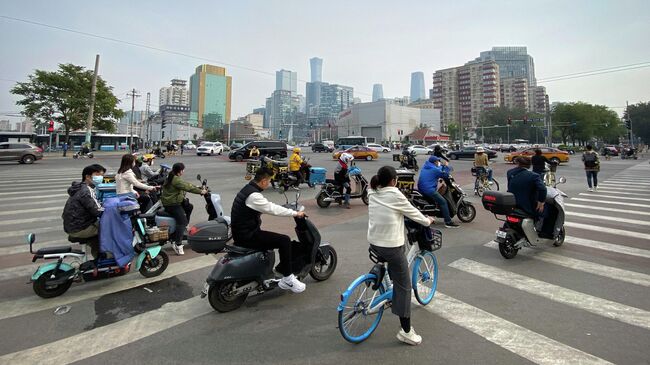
(589, 303)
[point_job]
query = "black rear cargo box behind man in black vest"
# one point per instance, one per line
(210, 236)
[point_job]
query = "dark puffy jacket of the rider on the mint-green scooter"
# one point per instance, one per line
(82, 208)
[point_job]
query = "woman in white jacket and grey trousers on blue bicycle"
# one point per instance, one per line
(386, 211)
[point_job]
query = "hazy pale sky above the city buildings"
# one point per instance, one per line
(591, 45)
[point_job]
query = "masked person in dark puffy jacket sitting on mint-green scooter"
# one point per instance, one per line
(82, 208)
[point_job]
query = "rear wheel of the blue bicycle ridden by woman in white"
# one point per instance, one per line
(355, 323)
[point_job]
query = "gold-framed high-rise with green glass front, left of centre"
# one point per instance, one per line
(210, 97)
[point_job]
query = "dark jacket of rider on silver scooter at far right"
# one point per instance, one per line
(527, 188)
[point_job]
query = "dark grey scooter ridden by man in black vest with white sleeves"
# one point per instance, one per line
(244, 271)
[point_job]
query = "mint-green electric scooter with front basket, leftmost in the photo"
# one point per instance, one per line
(55, 278)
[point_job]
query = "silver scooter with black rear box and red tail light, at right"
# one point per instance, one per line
(520, 229)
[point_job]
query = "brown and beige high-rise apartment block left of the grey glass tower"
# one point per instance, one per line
(464, 92)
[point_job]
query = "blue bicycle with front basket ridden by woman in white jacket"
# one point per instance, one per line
(359, 314)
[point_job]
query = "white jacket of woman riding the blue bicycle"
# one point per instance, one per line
(387, 208)
